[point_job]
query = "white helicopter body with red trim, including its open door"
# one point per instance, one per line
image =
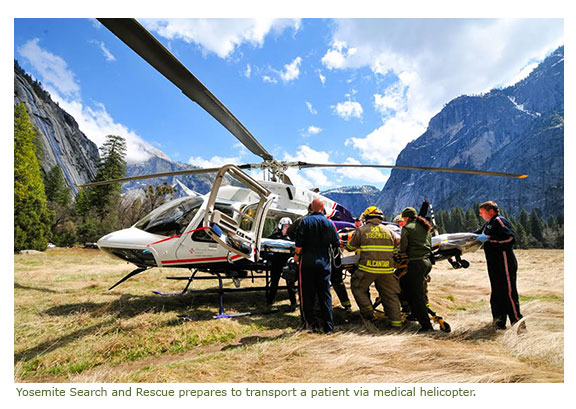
(182, 233)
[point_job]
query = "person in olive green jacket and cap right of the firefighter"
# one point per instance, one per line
(416, 243)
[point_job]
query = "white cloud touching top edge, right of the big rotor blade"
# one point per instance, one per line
(219, 36)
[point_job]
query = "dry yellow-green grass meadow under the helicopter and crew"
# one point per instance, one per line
(70, 328)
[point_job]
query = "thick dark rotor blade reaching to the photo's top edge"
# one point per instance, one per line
(133, 34)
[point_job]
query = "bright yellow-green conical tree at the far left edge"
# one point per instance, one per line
(32, 218)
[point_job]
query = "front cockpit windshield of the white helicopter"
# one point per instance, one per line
(171, 218)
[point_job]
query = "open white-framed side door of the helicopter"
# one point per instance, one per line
(239, 227)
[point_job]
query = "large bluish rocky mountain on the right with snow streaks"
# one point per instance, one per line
(519, 129)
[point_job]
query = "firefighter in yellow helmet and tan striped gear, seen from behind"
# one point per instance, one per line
(376, 243)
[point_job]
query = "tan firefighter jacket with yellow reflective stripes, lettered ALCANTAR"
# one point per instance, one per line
(375, 243)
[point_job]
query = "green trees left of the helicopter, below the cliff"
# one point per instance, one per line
(45, 209)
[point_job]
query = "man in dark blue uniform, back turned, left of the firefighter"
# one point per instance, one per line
(314, 238)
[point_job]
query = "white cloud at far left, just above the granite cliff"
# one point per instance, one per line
(52, 69)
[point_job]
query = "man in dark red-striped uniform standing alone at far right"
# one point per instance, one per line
(498, 238)
